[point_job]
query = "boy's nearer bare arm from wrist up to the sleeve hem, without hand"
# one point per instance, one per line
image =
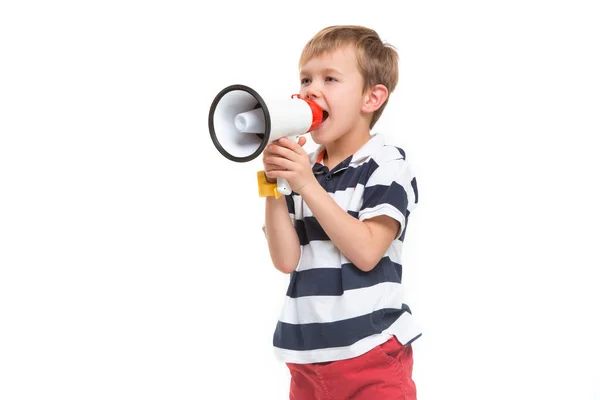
(362, 242)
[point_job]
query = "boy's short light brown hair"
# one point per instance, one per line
(377, 60)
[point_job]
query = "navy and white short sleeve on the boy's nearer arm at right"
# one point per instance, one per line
(390, 190)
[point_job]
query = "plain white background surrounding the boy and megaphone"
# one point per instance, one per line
(132, 263)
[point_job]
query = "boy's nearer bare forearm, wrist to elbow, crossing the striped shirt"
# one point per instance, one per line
(352, 237)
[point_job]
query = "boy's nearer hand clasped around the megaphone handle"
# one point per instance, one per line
(286, 159)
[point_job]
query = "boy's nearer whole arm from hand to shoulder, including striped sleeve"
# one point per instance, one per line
(387, 199)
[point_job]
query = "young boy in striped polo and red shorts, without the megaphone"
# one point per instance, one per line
(344, 330)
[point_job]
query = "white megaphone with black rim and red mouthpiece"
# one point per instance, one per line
(241, 124)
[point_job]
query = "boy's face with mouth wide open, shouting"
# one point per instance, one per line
(334, 82)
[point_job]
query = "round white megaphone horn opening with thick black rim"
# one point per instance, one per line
(237, 144)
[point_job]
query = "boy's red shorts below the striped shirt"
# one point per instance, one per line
(384, 373)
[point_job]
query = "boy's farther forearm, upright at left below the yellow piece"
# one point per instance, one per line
(284, 245)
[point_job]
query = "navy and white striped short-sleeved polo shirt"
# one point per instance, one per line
(333, 310)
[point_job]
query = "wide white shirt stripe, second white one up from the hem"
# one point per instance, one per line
(355, 302)
